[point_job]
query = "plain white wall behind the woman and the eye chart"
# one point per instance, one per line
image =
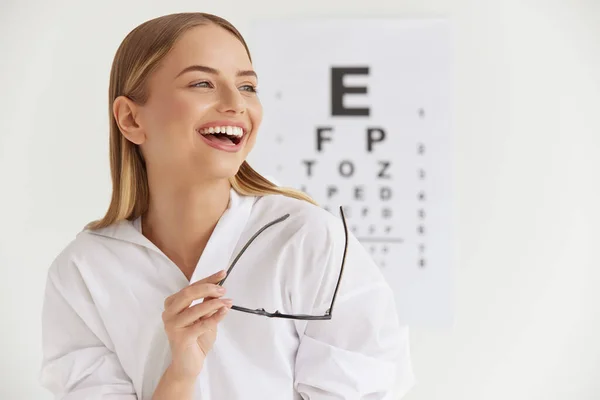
(527, 144)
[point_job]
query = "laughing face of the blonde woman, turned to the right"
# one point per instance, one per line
(205, 85)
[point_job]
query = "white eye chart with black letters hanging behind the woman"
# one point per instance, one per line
(357, 114)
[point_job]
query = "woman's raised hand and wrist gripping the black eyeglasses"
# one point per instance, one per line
(192, 330)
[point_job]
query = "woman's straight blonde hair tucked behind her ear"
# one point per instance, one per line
(136, 58)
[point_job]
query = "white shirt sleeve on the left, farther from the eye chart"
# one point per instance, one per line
(77, 364)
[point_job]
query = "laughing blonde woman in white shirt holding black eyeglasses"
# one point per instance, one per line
(129, 311)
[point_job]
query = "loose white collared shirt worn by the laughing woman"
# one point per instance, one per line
(103, 334)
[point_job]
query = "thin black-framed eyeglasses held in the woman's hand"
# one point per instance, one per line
(276, 314)
